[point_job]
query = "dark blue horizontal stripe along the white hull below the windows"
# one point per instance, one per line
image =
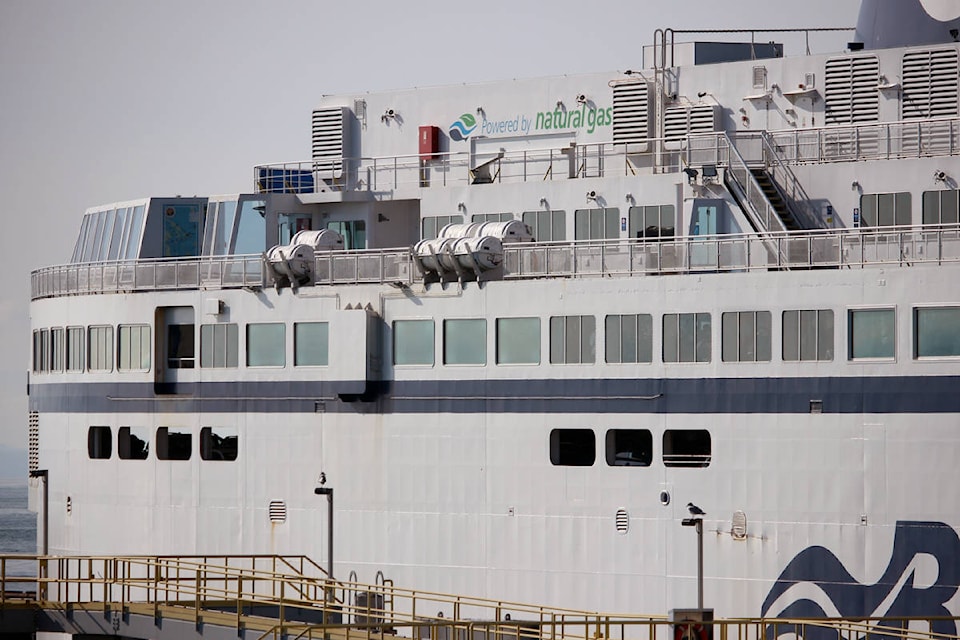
(917, 394)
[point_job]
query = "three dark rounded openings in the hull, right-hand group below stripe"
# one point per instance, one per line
(630, 448)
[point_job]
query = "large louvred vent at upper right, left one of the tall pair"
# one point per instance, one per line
(850, 90)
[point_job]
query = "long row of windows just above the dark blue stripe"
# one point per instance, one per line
(746, 336)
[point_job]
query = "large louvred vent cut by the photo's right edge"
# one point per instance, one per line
(929, 84)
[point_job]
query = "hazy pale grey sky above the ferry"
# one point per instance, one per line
(109, 100)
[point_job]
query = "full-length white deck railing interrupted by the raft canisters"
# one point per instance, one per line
(836, 248)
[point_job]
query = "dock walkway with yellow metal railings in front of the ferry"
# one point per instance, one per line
(259, 597)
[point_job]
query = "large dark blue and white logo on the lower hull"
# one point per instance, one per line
(923, 575)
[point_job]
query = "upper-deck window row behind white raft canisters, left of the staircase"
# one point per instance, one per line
(589, 224)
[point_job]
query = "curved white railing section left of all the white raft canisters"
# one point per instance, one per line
(216, 272)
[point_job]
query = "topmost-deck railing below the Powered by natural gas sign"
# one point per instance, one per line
(388, 174)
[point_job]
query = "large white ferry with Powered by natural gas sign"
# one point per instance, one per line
(526, 330)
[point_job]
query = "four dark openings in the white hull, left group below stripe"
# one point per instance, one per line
(172, 443)
